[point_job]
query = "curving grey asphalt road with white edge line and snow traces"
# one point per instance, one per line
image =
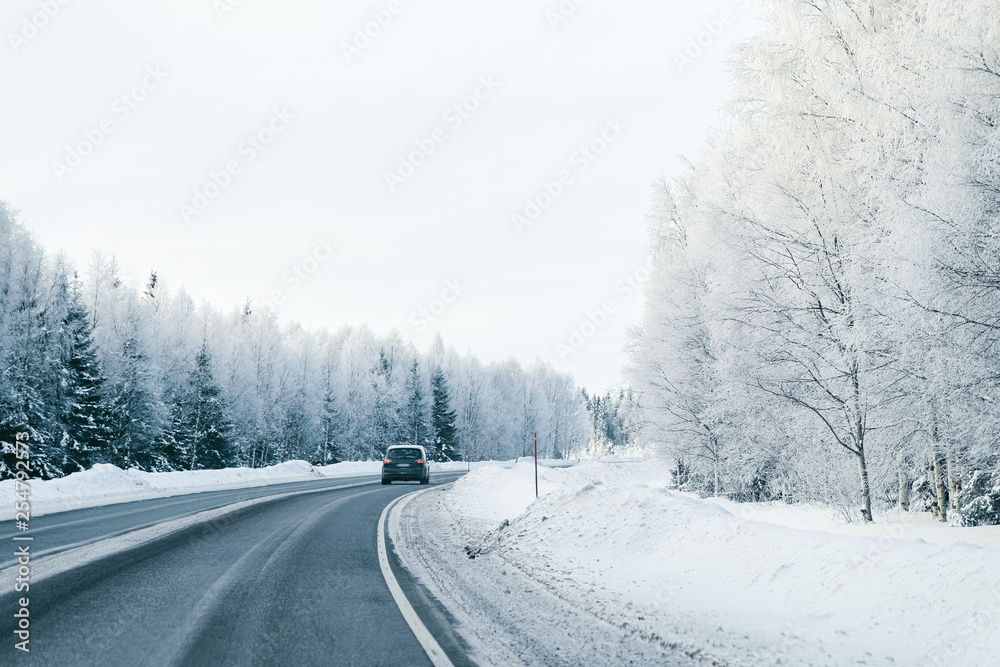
(295, 581)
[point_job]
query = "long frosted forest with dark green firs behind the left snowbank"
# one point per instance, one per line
(98, 370)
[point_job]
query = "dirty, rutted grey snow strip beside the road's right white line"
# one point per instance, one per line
(499, 616)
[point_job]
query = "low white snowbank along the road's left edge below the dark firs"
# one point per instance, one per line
(106, 484)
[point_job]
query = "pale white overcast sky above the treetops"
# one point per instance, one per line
(323, 176)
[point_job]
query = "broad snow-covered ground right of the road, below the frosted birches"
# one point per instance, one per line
(712, 581)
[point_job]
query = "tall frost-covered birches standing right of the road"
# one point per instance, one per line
(823, 320)
